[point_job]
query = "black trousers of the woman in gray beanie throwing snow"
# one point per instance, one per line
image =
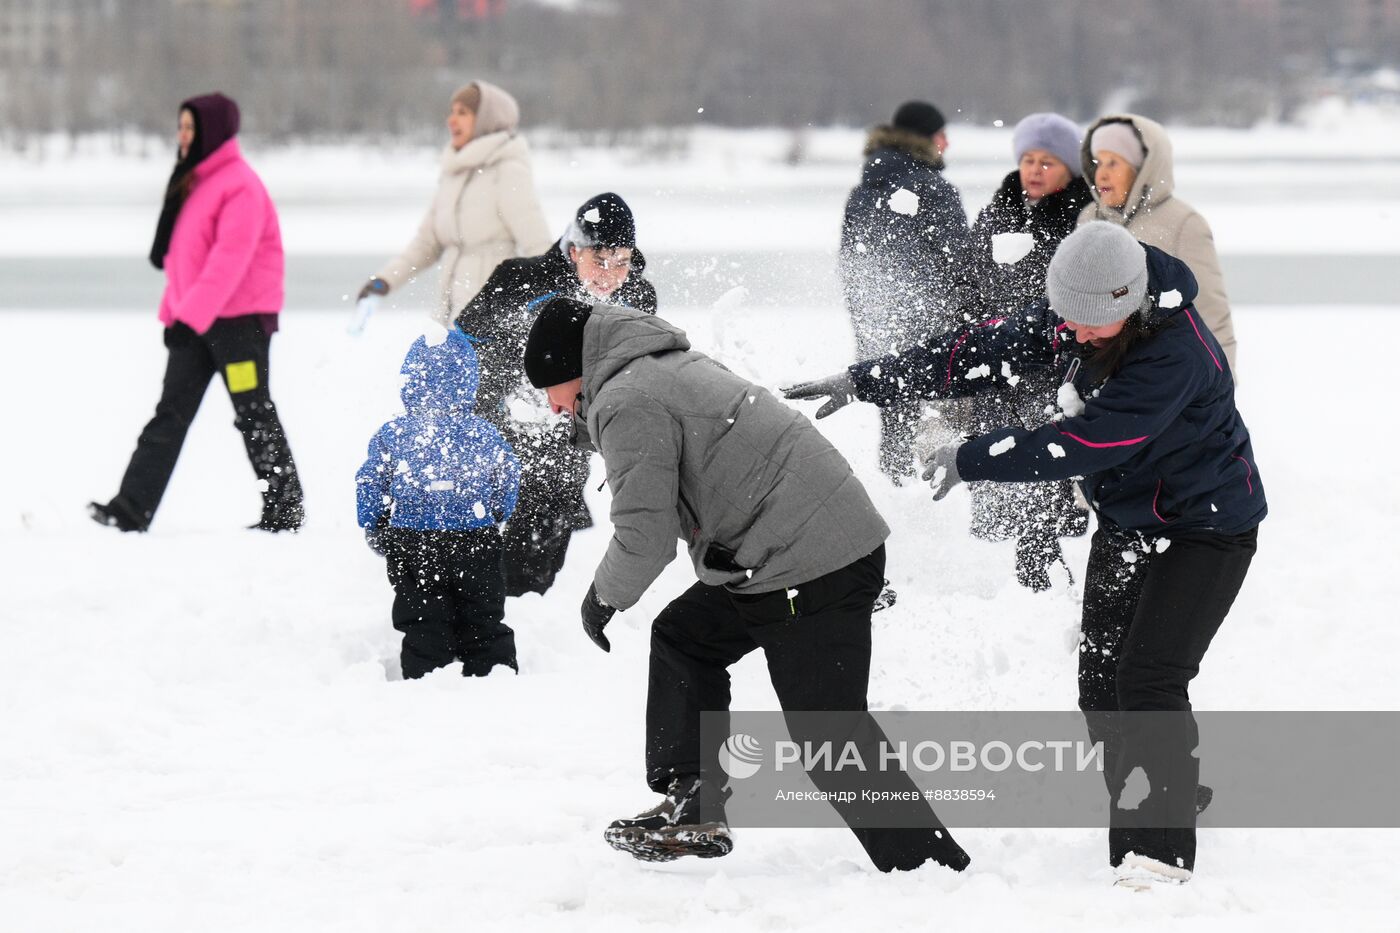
(1151, 607)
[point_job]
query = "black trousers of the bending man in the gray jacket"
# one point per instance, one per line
(818, 648)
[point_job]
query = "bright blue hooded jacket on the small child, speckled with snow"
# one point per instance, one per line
(439, 466)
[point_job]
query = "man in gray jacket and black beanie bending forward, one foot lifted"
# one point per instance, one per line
(786, 544)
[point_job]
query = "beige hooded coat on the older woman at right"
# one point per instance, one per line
(1156, 216)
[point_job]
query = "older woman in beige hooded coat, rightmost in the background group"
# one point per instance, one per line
(1128, 160)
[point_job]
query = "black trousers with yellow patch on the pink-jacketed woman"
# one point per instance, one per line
(237, 350)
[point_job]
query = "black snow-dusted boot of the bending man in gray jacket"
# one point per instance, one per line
(688, 822)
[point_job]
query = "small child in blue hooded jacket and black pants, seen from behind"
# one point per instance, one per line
(432, 495)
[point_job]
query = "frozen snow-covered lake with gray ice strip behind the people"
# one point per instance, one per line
(1300, 218)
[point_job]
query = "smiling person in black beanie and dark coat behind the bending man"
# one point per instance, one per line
(597, 258)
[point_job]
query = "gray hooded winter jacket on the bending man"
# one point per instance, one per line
(761, 498)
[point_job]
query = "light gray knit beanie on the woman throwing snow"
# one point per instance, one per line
(1098, 275)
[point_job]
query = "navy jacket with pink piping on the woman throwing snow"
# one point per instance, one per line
(1160, 446)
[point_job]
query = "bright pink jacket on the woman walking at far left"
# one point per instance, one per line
(226, 250)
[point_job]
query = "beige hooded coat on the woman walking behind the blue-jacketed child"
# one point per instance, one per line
(485, 211)
